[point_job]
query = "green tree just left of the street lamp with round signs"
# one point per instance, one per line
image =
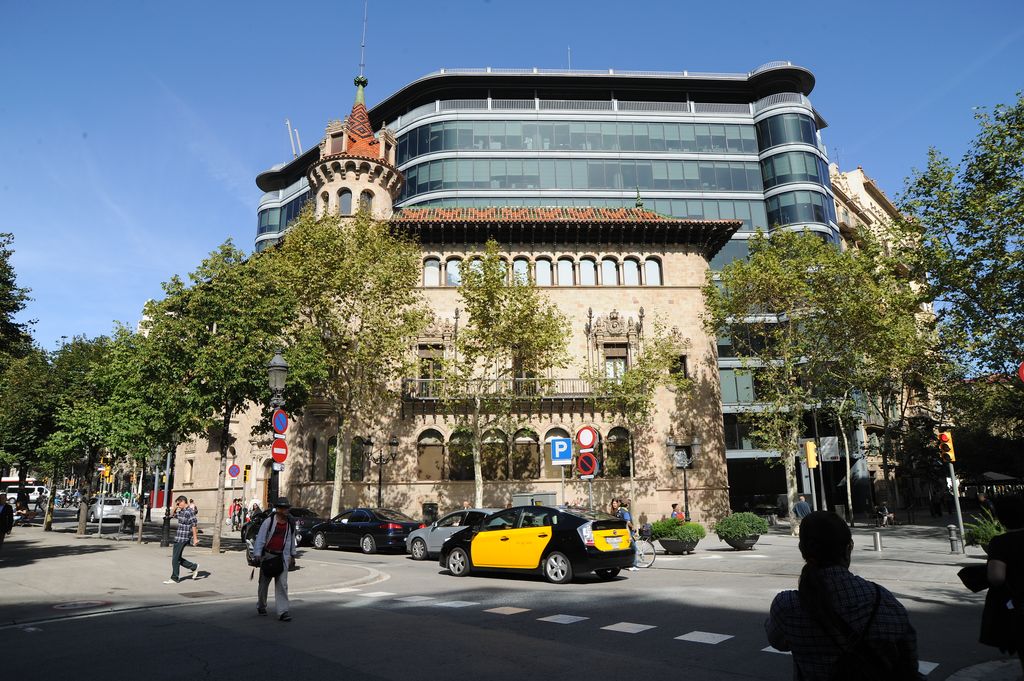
(209, 343)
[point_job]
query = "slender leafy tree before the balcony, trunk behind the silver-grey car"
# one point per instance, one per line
(514, 337)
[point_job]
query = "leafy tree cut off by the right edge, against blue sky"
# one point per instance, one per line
(967, 219)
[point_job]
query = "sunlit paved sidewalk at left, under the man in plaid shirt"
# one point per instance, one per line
(95, 575)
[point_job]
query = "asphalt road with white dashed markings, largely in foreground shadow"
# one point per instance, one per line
(697, 617)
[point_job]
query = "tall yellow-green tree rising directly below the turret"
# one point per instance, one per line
(356, 283)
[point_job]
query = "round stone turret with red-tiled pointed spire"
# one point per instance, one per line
(356, 168)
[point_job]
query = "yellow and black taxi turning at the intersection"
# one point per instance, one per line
(556, 542)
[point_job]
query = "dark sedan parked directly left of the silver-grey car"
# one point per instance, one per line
(368, 529)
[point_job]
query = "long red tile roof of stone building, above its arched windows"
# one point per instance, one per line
(540, 215)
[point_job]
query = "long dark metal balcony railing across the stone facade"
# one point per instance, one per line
(513, 389)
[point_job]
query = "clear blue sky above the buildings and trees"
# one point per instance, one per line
(132, 133)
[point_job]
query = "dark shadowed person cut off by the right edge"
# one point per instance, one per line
(1002, 625)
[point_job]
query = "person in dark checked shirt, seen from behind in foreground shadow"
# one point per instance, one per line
(838, 623)
